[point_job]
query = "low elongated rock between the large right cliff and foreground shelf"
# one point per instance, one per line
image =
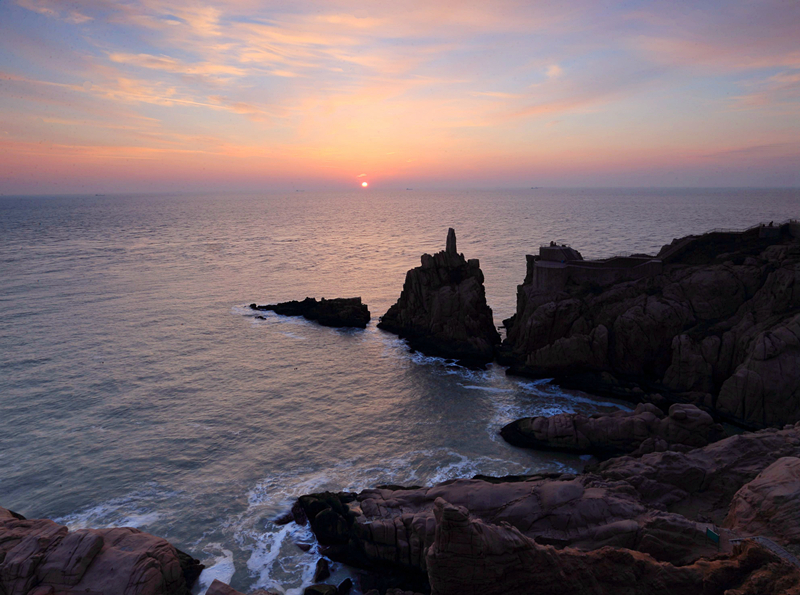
(646, 429)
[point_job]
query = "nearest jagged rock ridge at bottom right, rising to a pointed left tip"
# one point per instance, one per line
(472, 557)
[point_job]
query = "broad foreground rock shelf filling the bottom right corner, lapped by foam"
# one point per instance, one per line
(655, 523)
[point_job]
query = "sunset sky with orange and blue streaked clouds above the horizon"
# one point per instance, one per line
(163, 96)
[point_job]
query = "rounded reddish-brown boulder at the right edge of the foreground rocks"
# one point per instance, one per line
(770, 504)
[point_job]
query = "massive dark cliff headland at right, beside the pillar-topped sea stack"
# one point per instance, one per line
(718, 326)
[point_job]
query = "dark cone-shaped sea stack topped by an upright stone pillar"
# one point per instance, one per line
(442, 309)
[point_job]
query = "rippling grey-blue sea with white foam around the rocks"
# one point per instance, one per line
(137, 389)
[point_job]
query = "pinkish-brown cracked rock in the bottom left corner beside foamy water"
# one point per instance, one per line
(41, 556)
